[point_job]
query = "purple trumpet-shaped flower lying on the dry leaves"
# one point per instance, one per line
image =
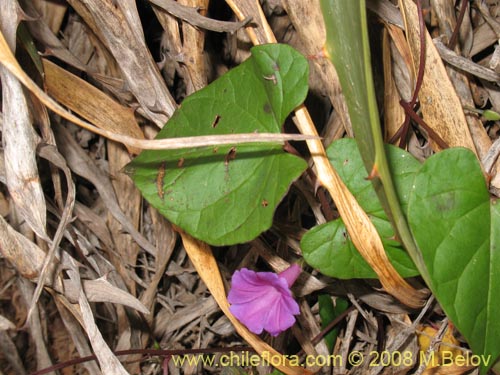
(263, 300)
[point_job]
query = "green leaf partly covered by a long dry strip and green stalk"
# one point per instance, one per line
(329, 248)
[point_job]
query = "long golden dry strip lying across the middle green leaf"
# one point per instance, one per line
(361, 230)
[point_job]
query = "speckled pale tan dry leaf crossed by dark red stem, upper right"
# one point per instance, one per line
(439, 102)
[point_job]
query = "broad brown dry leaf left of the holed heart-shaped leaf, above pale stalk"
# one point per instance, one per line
(90, 103)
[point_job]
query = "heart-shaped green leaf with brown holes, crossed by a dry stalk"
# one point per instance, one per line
(227, 195)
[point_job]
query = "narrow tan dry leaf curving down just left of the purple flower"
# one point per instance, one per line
(203, 260)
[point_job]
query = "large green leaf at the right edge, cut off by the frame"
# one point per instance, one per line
(458, 232)
